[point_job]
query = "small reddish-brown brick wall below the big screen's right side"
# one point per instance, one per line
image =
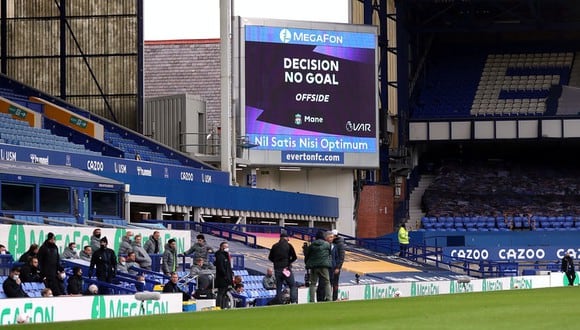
(375, 212)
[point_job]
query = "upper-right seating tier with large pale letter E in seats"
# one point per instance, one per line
(499, 84)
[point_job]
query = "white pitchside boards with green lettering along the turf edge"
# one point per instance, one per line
(48, 310)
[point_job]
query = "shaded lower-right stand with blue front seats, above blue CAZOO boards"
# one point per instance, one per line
(482, 198)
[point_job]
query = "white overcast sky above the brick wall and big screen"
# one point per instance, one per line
(200, 19)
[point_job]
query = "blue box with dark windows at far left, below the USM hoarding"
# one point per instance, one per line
(28, 189)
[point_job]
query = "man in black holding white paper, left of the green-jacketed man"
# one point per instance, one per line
(282, 255)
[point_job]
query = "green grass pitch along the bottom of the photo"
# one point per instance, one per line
(516, 309)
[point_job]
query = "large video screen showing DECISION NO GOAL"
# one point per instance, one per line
(310, 95)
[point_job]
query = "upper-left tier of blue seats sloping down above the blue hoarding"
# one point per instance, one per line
(60, 137)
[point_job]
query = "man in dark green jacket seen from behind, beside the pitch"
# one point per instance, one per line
(317, 259)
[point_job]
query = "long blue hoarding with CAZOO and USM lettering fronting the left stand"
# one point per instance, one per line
(181, 185)
